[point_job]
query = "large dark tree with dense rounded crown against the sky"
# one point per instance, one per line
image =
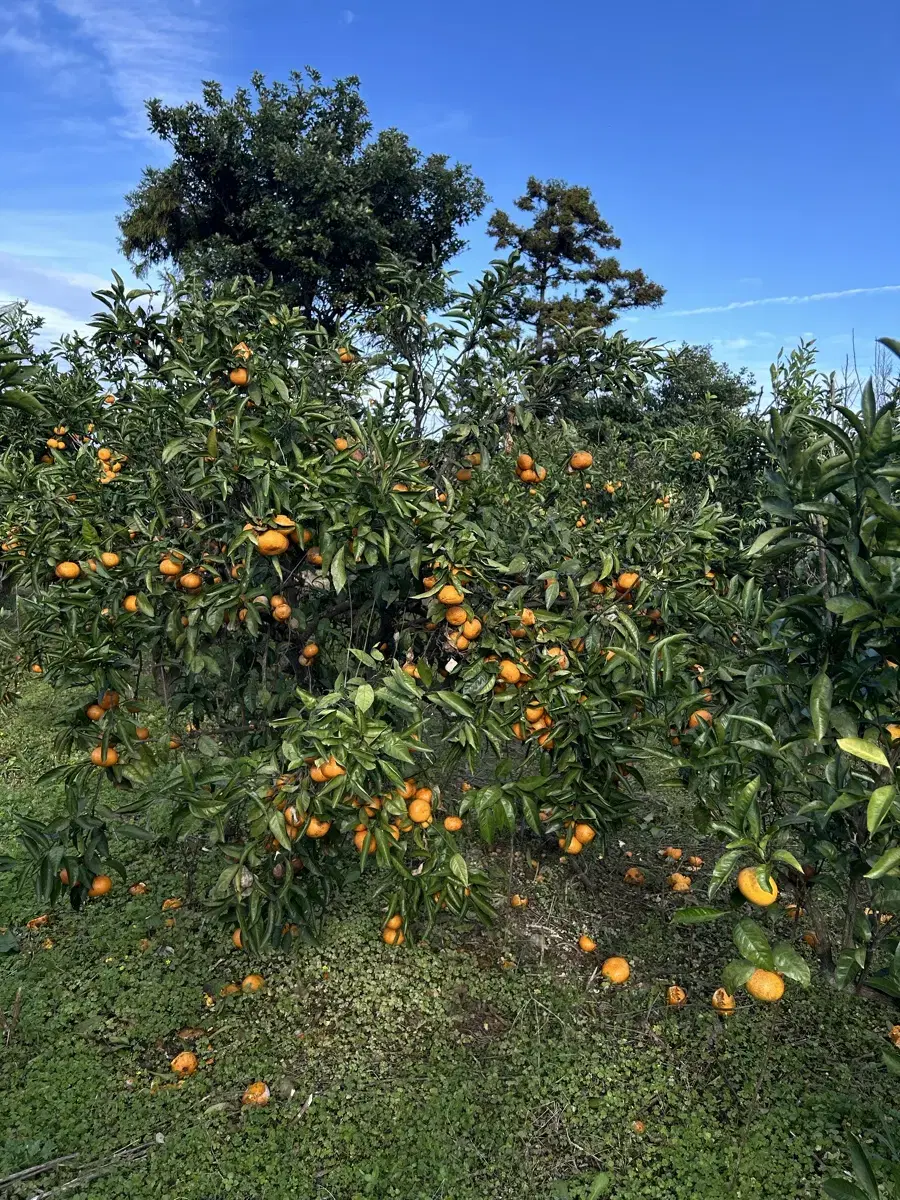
(289, 183)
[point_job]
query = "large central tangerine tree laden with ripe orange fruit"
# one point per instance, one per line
(373, 646)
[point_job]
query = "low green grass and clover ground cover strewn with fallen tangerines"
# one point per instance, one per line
(482, 1065)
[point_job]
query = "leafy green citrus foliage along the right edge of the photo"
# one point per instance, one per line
(806, 753)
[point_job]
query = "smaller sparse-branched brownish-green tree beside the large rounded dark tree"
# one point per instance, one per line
(569, 281)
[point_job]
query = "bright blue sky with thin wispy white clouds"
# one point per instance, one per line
(745, 152)
